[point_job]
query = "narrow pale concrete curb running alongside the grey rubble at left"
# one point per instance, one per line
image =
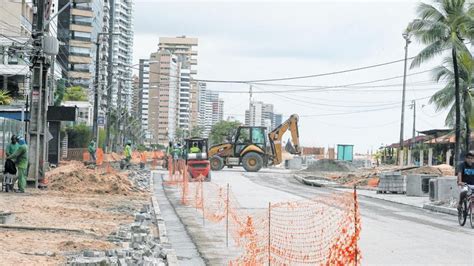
(171, 257)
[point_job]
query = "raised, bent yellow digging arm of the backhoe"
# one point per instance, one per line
(276, 136)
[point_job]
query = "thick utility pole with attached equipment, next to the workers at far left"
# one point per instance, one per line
(38, 97)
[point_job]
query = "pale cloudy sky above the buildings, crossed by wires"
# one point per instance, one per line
(248, 40)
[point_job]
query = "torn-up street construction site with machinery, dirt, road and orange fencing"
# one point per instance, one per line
(252, 201)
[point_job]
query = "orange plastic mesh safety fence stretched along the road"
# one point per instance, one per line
(322, 230)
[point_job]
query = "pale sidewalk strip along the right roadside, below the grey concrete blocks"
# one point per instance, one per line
(419, 202)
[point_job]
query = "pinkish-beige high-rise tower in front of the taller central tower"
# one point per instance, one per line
(163, 96)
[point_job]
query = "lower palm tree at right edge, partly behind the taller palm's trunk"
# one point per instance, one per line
(444, 98)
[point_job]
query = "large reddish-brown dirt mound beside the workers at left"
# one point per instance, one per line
(74, 177)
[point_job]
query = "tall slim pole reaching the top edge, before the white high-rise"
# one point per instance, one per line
(110, 68)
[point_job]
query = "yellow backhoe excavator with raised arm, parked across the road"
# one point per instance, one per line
(249, 147)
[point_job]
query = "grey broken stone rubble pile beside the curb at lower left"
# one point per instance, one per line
(139, 246)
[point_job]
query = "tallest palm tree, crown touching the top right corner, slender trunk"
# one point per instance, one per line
(443, 26)
